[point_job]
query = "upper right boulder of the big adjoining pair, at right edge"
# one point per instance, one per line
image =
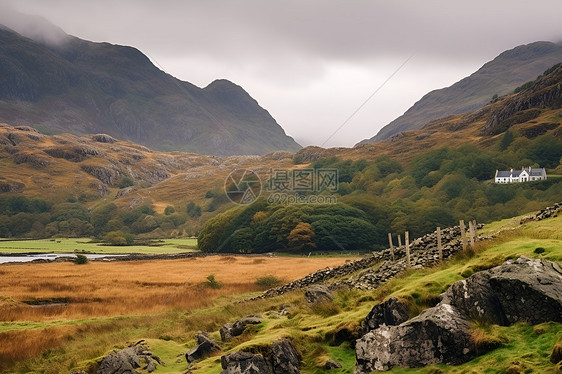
(522, 290)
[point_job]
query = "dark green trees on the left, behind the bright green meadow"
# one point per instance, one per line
(35, 218)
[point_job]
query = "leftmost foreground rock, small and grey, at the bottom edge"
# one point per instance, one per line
(129, 359)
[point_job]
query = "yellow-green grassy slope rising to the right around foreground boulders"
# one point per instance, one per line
(172, 333)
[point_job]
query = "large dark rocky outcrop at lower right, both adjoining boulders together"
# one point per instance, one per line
(522, 290)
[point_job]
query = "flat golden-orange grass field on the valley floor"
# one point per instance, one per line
(102, 289)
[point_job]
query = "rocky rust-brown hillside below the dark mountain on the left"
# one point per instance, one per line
(92, 167)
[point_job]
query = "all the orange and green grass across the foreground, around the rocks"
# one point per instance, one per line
(75, 338)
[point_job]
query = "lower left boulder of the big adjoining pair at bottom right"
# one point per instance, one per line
(438, 335)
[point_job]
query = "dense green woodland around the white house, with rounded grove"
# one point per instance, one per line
(436, 189)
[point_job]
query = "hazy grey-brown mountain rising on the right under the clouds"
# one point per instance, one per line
(497, 77)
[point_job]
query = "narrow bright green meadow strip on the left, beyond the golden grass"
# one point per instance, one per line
(70, 245)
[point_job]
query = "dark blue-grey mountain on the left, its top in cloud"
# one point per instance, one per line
(58, 83)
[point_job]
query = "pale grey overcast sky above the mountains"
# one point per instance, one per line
(311, 64)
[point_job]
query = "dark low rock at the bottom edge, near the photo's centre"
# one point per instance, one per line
(280, 357)
